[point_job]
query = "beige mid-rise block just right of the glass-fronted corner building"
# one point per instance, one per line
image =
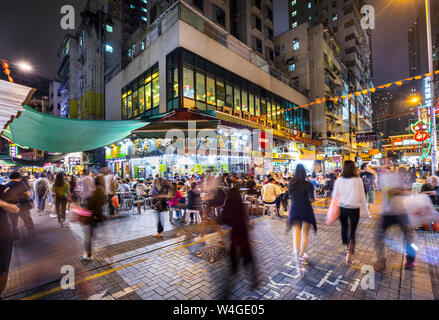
(311, 57)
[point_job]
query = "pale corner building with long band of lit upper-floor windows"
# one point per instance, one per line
(188, 67)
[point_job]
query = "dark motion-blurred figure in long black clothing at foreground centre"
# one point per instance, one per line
(234, 215)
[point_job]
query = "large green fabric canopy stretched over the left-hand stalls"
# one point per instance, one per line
(54, 134)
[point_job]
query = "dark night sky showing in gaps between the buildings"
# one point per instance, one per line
(30, 31)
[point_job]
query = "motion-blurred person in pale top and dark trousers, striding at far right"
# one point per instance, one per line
(394, 212)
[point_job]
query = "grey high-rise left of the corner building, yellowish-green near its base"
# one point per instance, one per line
(89, 58)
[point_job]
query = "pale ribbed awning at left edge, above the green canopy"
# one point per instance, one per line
(12, 98)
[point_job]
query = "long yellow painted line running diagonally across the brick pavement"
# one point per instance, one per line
(101, 274)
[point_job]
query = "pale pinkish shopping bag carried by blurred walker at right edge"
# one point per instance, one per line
(420, 210)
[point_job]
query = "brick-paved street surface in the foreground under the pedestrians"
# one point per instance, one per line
(132, 265)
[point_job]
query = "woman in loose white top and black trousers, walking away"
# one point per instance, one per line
(349, 191)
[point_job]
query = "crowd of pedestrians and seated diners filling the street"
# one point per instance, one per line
(217, 200)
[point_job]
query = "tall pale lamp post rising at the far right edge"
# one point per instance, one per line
(431, 106)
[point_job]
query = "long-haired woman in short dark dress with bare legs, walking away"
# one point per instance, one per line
(301, 212)
